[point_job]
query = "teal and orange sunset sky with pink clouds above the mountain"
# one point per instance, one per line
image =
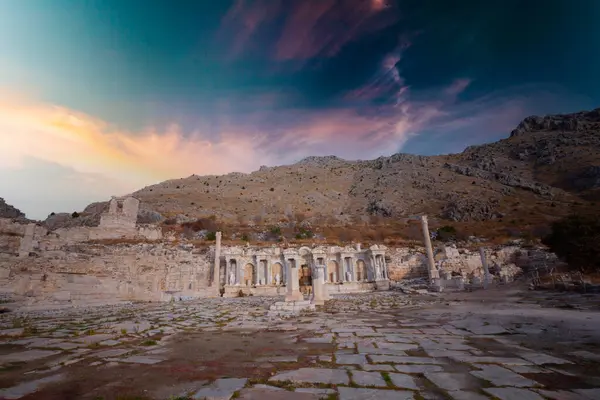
(101, 98)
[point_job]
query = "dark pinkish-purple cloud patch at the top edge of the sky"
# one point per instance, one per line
(310, 28)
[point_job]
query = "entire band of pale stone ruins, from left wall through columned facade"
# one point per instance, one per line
(122, 260)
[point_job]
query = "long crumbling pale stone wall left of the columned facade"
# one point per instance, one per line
(93, 273)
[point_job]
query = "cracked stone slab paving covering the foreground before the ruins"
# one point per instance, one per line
(375, 346)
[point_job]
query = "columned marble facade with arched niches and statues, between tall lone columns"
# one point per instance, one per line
(265, 271)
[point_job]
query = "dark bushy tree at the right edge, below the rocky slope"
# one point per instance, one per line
(576, 240)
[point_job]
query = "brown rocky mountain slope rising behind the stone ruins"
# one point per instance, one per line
(547, 166)
